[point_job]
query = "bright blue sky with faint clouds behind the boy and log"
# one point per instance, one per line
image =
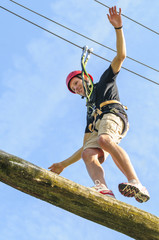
(43, 123)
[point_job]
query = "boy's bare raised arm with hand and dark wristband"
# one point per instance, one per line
(116, 20)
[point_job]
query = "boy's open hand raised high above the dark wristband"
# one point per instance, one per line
(115, 17)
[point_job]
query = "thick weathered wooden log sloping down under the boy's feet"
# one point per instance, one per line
(77, 199)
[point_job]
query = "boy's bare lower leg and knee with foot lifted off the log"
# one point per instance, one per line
(119, 156)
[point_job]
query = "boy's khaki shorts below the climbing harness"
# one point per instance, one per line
(111, 125)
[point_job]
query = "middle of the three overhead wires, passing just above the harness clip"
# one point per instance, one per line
(88, 38)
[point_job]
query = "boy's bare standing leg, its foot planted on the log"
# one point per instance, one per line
(94, 168)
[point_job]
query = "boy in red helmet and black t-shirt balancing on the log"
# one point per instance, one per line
(105, 131)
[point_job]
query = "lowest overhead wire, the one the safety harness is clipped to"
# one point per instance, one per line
(76, 45)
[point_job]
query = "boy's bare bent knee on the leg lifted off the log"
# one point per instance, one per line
(105, 142)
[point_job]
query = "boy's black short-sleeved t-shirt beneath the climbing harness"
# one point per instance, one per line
(106, 89)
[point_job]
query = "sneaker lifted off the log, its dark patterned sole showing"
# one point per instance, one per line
(134, 190)
